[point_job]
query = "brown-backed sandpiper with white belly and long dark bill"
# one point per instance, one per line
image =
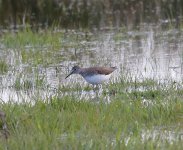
(93, 75)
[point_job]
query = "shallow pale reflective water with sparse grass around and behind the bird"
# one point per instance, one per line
(150, 52)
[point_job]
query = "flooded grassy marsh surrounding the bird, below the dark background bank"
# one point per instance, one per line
(140, 108)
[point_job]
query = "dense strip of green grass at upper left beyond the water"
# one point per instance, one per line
(27, 38)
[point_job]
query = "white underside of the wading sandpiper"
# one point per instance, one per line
(97, 79)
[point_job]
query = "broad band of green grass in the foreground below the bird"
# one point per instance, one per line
(66, 122)
